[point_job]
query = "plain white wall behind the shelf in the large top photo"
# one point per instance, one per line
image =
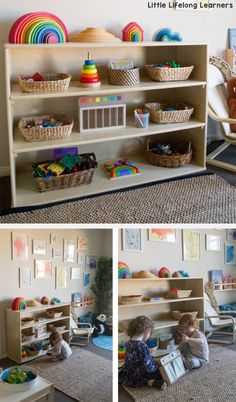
(210, 26)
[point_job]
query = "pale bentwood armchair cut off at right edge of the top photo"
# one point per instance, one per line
(218, 74)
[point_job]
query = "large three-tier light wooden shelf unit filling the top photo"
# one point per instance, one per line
(129, 142)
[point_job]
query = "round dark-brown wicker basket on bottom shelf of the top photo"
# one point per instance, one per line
(183, 157)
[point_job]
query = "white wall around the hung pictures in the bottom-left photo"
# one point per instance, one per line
(99, 244)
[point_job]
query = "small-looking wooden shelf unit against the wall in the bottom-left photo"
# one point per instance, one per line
(15, 328)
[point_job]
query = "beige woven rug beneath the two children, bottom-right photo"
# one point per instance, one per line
(213, 383)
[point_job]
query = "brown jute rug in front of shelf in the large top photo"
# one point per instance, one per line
(203, 199)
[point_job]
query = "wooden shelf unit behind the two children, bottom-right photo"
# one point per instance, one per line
(160, 312)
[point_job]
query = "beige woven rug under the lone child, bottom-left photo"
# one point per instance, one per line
(84, 376)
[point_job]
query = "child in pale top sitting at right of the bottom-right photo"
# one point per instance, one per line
(193, 345)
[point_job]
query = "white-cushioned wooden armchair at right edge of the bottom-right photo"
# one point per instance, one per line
(217, 321)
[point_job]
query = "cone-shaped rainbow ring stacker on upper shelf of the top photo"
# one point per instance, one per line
(89, 75)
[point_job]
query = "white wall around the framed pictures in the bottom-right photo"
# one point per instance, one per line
(155, 255)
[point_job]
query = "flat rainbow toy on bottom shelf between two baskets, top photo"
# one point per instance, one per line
(120, 168)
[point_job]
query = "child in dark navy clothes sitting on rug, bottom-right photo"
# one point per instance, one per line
(139, 367)
